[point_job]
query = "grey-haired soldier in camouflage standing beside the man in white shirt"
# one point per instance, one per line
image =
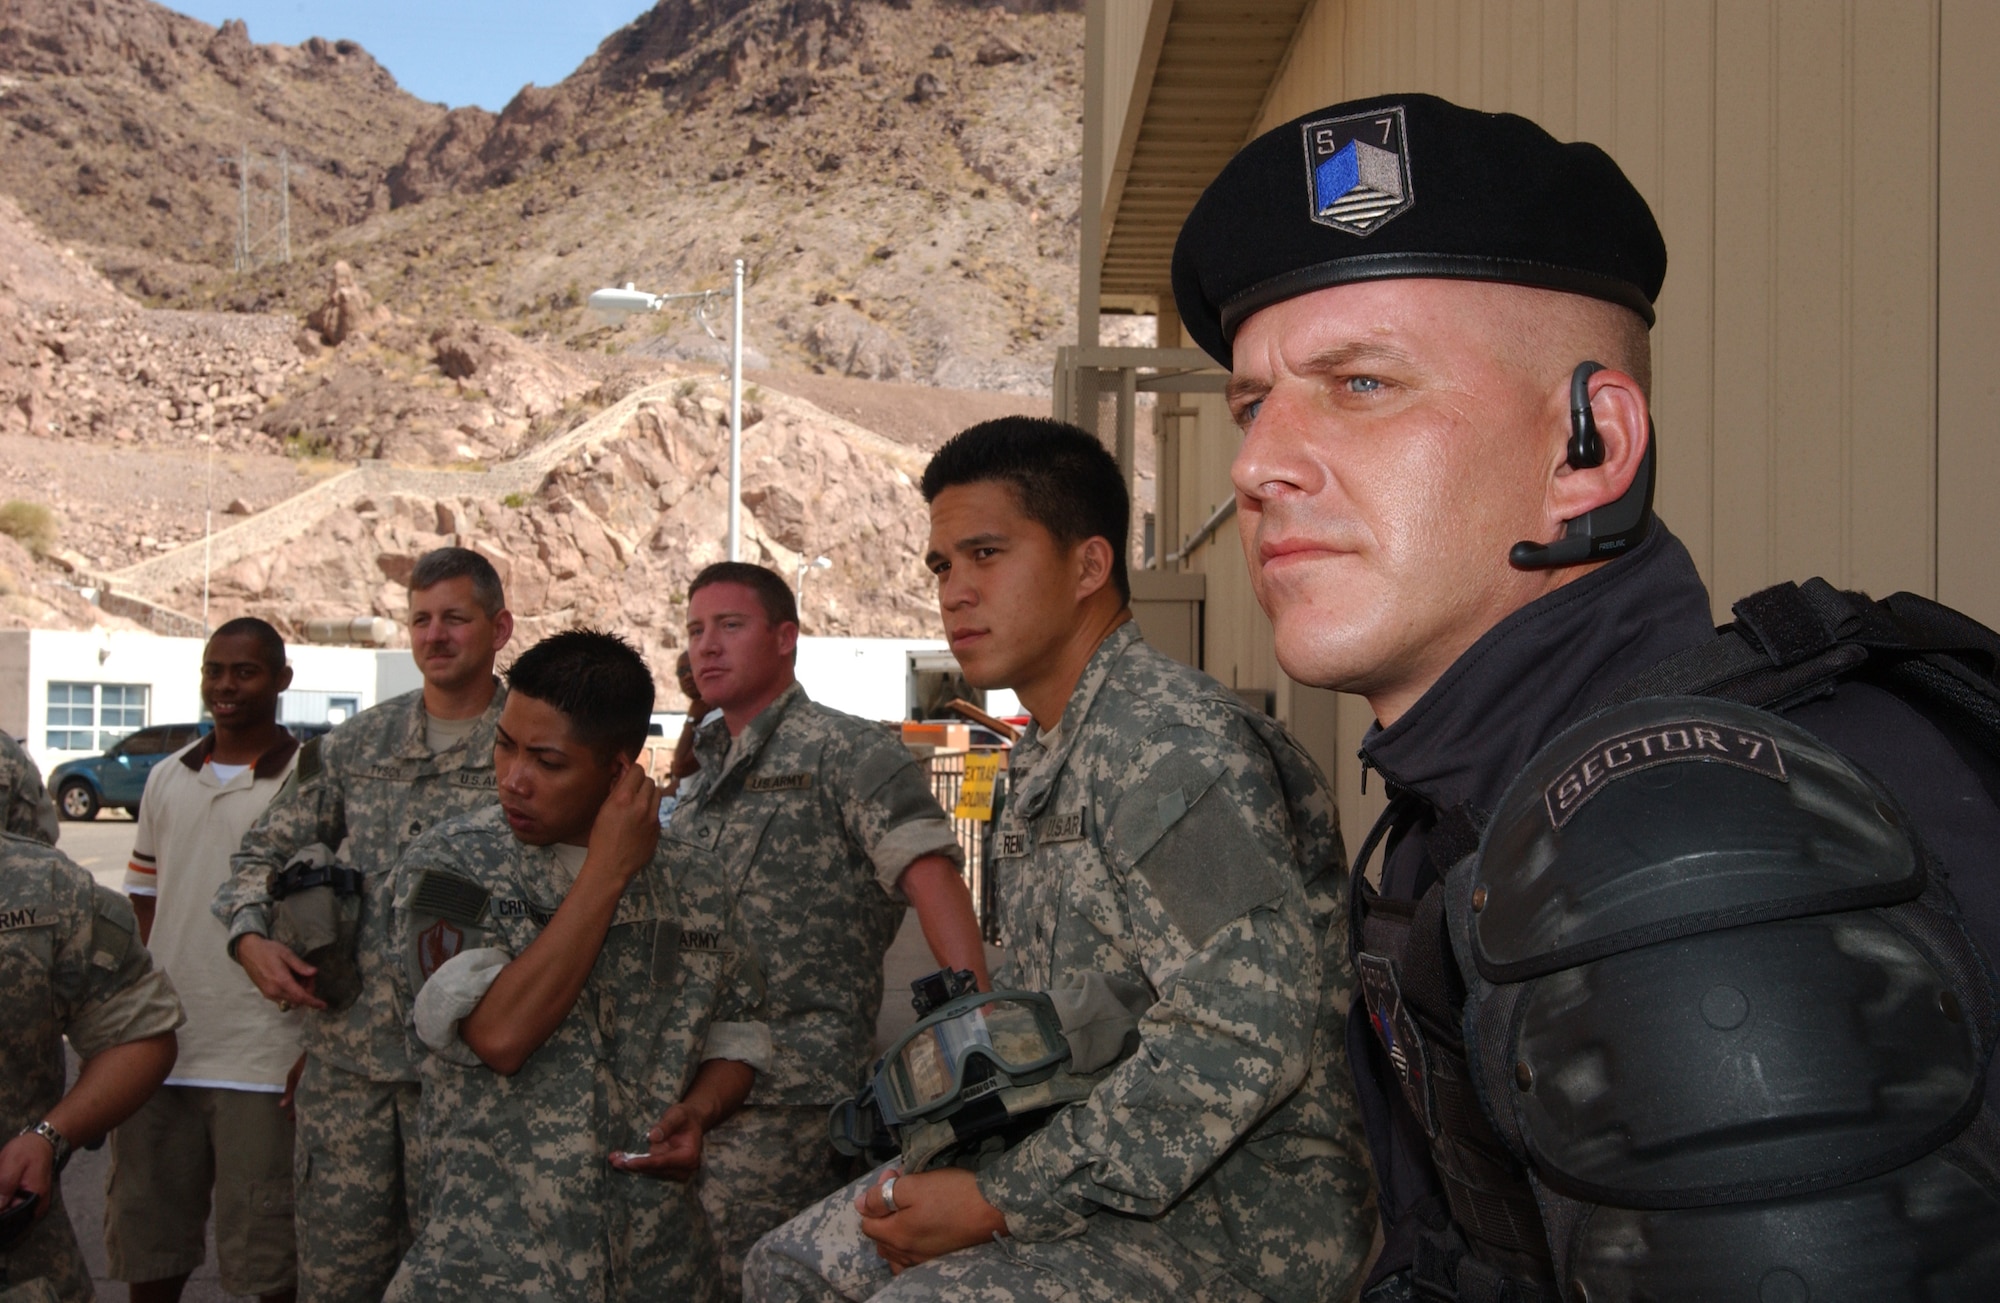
(369, 790)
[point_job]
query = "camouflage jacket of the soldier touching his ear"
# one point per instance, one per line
(521, 1198)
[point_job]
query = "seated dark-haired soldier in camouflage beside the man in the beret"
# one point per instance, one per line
(1165, 836)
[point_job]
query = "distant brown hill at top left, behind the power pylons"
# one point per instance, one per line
(125, 125)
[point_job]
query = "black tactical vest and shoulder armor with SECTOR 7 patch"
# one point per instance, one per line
(1691, 1016)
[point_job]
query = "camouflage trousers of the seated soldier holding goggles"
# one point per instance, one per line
(823, 1256)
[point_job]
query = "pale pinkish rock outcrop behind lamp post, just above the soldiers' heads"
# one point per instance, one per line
(615, 531)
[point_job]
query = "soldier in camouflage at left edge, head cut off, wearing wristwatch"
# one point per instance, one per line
(71, 966)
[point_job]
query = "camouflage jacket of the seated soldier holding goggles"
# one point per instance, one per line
(1185, 842)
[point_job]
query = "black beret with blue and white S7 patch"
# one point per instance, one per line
(1411, 187)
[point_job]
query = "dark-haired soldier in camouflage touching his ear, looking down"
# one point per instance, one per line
(533, 1100)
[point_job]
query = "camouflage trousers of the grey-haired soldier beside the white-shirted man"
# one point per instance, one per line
(357, 1166)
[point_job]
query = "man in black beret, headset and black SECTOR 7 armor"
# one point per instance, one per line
(1665, 994)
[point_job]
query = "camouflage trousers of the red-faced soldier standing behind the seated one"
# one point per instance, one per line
(759, 1170)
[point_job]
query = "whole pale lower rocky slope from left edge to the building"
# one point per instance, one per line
(139, 429)
